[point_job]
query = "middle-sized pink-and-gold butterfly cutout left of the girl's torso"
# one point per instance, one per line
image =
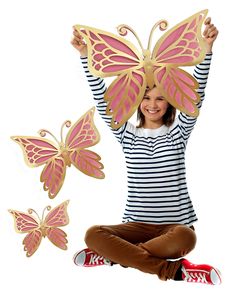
(56, 157)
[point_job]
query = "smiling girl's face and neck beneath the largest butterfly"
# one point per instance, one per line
(153, 107)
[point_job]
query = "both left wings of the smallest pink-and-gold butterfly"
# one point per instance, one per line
(25, 223)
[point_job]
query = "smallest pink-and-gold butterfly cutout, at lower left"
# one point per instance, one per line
(37, 228)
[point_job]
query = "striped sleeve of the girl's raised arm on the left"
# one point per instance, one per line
(98, 89)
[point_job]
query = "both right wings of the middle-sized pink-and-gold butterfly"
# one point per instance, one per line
(84, 134)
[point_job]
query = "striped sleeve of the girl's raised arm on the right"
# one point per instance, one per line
(201, 72)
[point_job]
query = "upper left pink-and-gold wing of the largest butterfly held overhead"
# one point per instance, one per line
(109, 54)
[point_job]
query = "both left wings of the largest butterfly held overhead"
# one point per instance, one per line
(111, 55)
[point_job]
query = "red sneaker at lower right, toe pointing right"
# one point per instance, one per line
(200, 273)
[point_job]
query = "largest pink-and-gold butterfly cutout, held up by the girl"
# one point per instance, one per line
(112, 55)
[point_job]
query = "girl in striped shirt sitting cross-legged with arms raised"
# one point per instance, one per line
(158, 219)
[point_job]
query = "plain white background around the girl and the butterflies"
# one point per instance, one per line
(42, 85)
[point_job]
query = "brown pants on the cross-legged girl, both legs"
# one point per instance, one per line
(146, 247)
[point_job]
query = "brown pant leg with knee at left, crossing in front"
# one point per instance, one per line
(119, 244)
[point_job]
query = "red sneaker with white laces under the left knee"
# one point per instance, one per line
(88, 258)
